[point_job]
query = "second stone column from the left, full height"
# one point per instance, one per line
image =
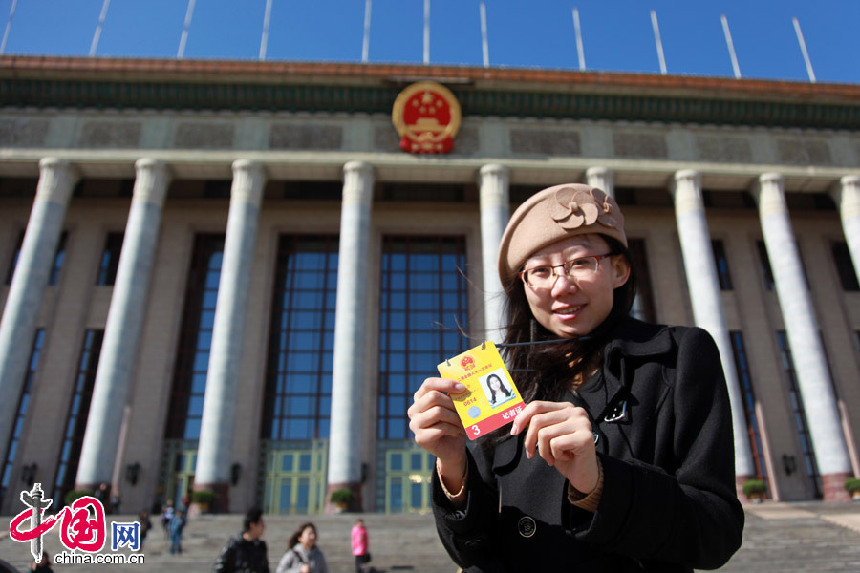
(118, 358)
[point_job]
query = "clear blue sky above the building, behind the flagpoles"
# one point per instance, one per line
(617, 34)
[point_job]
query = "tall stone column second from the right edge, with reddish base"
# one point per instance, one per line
(810, 363)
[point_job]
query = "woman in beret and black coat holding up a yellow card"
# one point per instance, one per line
(623, 458)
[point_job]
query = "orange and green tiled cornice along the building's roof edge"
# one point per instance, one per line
(230, 85)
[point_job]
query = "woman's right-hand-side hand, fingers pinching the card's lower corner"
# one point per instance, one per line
(560, 433)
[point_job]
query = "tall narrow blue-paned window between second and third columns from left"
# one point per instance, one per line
(198, 319)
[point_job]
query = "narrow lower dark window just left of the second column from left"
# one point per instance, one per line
(76, 421)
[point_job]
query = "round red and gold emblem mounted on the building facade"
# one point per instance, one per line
(427, 117)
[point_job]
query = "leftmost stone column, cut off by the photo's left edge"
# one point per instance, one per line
(32, 271)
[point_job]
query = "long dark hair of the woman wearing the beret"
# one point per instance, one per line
(545, 371)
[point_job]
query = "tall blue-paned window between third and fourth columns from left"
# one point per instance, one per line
(301, 339)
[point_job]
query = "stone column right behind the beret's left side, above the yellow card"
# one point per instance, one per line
(494, 216)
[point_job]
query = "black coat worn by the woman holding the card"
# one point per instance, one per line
(660, 411)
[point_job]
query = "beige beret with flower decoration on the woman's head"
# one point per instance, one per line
(554, 214)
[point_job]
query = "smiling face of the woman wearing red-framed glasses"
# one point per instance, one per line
(575, 308)
